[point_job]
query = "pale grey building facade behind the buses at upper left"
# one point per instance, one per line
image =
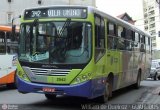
(13, 8)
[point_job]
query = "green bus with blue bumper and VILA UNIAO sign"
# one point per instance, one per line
(79, 51)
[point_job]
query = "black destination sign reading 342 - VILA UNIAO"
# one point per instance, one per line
(56, 13)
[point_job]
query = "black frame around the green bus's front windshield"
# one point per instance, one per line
(80, 21)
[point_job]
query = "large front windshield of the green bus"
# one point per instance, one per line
(56, 42)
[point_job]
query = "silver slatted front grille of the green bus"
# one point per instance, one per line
(50, 72)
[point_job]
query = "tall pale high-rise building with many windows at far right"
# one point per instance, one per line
(152, 21)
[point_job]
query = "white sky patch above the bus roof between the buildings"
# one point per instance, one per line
(134, 8)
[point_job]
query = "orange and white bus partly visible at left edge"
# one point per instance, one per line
(8, 55)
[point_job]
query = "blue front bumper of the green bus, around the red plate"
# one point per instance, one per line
(82, 89)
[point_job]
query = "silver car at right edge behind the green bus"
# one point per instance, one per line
(155, 70)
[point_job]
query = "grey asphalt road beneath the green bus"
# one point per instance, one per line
(32, 101)
